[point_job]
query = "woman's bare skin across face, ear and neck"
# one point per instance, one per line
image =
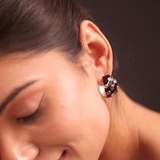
(74, 118)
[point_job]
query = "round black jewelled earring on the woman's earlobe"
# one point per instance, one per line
(109, 87)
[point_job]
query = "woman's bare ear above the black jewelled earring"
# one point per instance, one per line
(98, 49)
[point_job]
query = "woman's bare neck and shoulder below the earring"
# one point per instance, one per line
(128, 130)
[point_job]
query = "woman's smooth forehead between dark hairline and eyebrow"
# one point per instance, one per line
(17, 71)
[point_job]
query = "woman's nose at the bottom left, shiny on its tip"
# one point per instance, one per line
(18, 151)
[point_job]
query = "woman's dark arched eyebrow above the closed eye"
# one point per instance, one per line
(13, 94)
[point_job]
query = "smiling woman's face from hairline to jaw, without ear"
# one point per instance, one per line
(49, 110)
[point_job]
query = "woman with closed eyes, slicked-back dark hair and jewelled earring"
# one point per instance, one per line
(53, 60)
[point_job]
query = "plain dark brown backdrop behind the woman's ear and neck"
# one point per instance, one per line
(133, 29)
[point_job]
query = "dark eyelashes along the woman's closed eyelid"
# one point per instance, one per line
(33, 116)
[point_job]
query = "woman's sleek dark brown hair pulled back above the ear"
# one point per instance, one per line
(41, 25)
